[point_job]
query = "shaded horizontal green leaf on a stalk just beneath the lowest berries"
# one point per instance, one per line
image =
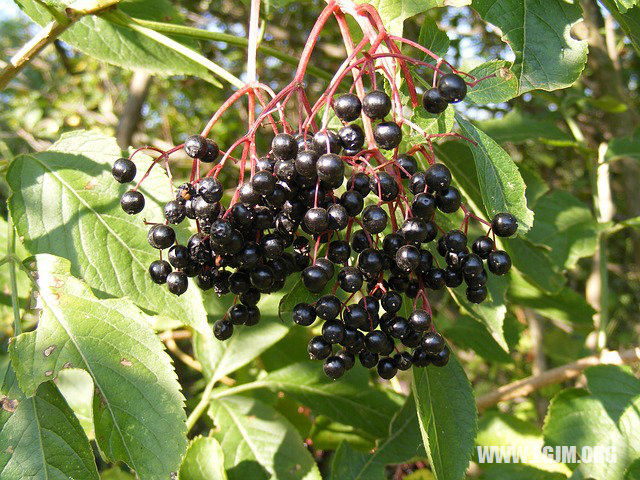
(351, 402)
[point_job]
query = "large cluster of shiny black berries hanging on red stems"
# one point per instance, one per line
(302, 212)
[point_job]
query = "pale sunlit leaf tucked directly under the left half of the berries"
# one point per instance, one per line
(222, 358)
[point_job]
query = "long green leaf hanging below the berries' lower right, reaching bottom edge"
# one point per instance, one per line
(448, 417)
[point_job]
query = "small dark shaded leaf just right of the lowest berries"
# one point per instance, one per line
(469, 333)
